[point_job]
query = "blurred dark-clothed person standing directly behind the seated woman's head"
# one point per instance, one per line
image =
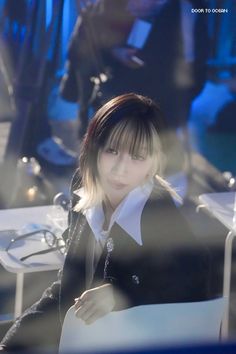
(156, 47)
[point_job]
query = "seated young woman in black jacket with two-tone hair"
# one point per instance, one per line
(128, 244)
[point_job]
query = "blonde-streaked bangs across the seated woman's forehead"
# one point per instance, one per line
(134, 137)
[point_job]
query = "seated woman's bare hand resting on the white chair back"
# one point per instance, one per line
(95, 303)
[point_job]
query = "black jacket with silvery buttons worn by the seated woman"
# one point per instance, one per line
(171, 266)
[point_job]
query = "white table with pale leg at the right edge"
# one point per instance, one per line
(223, 207)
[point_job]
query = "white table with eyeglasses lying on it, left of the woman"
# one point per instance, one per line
(16, 219)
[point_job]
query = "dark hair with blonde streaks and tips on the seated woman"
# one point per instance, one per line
(128, 121)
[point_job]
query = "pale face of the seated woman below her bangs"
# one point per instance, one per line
(120, 172)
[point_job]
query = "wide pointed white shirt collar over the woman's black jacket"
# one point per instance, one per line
(132, 205)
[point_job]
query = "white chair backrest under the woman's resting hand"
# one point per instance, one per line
(145, 326)
